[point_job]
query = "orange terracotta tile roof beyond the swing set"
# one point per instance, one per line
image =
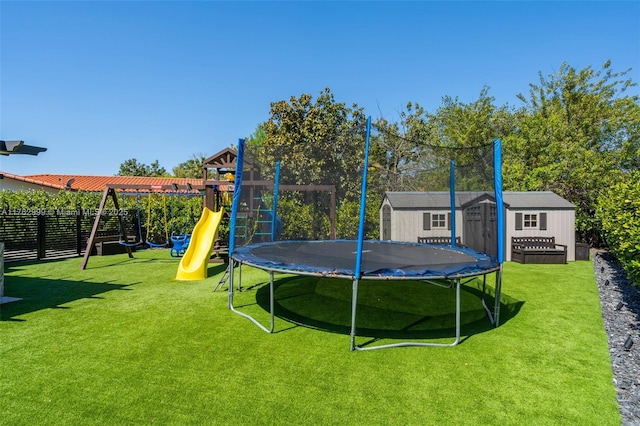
(98, 183)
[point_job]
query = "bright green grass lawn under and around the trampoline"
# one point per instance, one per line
(124, 343)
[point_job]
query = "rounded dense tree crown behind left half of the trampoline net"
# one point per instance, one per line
(317, 141)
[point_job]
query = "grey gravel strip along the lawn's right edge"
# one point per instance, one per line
(621, 314)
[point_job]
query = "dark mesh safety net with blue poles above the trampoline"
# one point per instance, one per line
(418, 188)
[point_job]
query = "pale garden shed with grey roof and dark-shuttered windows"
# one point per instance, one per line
(405, 216)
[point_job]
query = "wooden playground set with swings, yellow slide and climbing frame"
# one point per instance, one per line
(196, 244)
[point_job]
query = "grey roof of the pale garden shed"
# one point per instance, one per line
(513, 199)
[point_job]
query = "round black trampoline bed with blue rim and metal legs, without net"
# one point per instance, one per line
(442, 265)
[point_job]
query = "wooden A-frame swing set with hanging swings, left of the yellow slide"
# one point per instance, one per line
(177, 242)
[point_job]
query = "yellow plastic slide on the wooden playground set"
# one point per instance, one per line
(195, 261)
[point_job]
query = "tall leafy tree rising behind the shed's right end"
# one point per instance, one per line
(577, 132)
